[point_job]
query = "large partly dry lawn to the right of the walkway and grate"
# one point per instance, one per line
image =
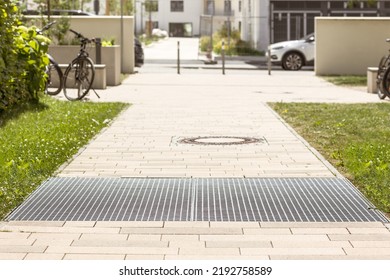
(353, 137)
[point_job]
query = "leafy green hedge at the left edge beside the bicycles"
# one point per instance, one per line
(22, 58)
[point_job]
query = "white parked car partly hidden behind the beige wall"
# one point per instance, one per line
(292, 55)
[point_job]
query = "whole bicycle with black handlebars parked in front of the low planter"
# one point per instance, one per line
(80, 73)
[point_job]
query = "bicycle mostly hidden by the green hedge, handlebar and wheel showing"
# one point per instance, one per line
(53, 70)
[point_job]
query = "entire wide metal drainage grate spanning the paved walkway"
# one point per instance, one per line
(197, 199)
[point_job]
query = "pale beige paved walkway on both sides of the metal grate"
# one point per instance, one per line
(144, 142)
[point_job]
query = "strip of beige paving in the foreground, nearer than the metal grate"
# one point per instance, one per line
(200, 242)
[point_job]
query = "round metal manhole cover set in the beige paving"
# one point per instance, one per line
(220, 140)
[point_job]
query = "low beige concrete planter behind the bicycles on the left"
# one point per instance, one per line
(111, 57)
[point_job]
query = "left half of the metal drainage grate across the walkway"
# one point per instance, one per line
(107, 199)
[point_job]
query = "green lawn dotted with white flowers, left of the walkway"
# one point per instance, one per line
(36, 139)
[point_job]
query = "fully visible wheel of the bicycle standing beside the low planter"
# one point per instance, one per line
(78, 78)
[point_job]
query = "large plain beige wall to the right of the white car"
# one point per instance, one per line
(349, 45)
